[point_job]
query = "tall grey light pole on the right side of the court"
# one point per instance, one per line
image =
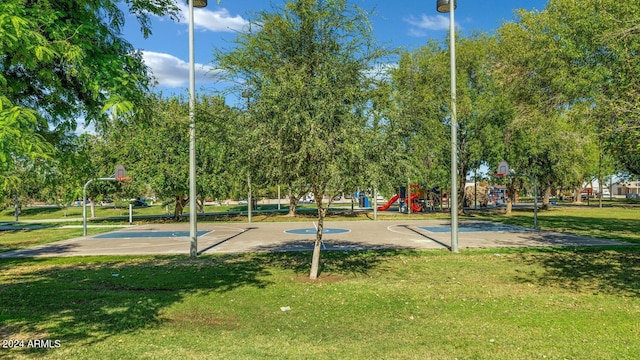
(445, 6)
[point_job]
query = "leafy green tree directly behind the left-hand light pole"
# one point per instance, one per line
(155, 151)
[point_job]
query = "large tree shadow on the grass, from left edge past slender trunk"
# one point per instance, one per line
(84, 300)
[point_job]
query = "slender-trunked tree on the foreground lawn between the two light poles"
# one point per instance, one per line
(306, 67)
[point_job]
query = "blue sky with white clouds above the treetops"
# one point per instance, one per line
(397, 23)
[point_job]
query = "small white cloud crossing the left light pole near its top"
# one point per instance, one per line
(217, 21)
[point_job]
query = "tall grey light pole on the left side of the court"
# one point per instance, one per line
(193, 228)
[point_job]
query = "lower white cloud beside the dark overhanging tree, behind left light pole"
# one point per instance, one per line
(171, 71)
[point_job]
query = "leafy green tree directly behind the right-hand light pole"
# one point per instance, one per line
(423, 94)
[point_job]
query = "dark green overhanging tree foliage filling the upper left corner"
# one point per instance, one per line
(63, 60)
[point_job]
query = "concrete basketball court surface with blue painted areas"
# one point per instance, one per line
(213, 238)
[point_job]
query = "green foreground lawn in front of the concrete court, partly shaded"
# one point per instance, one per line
(498, 304)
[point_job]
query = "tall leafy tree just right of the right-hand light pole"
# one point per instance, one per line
(549, 76)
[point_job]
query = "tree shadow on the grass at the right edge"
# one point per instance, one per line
(606, 270)
